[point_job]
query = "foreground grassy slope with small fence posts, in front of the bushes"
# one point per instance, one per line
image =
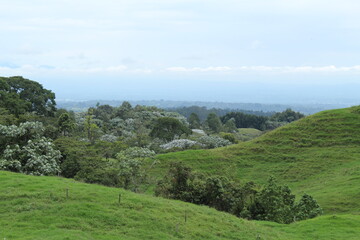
(37, 208)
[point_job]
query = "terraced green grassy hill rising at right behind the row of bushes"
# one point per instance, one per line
(319, 154)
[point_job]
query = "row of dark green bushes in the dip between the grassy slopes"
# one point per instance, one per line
(271, 202)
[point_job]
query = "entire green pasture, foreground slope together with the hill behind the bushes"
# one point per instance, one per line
(319, 155)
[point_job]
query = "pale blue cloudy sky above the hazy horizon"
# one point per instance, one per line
(266, 51)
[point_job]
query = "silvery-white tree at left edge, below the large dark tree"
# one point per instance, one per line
(26, 150)
